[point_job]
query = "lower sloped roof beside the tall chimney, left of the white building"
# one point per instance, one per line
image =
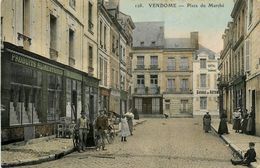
(177, 43)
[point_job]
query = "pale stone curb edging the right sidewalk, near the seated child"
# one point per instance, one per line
(234, 148)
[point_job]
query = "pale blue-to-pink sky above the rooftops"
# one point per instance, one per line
(210, 22)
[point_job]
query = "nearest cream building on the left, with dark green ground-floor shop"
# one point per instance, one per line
(49, 65)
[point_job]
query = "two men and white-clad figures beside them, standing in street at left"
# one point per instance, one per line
(101, 124)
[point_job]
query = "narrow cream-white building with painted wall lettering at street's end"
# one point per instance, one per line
(205, 74)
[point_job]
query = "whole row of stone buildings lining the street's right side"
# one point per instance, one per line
(239, 82)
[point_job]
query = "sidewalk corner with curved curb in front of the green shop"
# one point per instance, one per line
(38, 150)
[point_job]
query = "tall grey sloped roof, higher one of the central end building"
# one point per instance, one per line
(148, 32)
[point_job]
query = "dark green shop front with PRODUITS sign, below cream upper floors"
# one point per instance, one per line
(36, 93)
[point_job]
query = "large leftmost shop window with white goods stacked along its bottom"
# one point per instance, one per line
(25, 96)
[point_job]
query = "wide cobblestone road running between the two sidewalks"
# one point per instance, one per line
(157, 143)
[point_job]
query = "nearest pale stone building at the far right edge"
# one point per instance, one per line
(252, 57)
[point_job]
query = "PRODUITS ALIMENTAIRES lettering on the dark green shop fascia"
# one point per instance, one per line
(35, 64)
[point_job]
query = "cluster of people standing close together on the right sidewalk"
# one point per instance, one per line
(244, 122)
